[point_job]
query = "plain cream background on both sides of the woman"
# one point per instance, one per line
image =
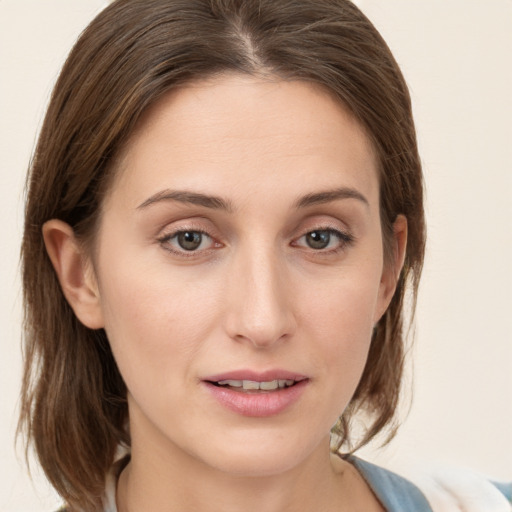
(457, 58)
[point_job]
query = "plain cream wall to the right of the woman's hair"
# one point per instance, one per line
(457, 58)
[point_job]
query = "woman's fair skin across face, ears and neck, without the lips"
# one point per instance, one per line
(254, 294)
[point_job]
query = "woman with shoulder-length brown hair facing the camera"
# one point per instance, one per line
(224, 215)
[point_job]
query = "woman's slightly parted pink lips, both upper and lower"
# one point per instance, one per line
(257, 404)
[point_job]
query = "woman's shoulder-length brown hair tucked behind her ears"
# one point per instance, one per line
(73, 398)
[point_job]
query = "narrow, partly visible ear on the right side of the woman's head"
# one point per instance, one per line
(393, 267)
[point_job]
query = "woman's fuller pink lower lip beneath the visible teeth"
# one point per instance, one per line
(257, 404)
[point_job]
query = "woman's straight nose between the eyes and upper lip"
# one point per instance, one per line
(259, 299)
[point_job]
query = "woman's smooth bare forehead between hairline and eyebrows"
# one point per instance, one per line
(238, 129)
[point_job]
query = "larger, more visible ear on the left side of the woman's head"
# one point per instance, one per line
(74, 271)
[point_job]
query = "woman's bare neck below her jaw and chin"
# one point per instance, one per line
(167, 482)
